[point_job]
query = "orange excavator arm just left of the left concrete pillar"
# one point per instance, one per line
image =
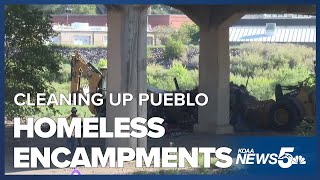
(81, 68)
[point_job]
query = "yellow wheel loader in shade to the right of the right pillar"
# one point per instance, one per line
(284, 114)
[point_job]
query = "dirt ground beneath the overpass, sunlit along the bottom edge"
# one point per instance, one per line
(174, 139)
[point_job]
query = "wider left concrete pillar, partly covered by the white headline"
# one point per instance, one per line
(127, 41)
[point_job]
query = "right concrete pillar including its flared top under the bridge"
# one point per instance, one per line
(214, 64)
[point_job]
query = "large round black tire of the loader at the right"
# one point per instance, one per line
(284, 115)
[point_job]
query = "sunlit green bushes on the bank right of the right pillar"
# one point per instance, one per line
(270, 64)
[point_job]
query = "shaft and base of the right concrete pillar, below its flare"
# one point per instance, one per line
(214, 73)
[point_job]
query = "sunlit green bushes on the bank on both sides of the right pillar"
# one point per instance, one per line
(268, 64)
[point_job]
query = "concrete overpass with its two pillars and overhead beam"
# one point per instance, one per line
(127, 33)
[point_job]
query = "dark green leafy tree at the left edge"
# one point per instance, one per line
(30, 65)
